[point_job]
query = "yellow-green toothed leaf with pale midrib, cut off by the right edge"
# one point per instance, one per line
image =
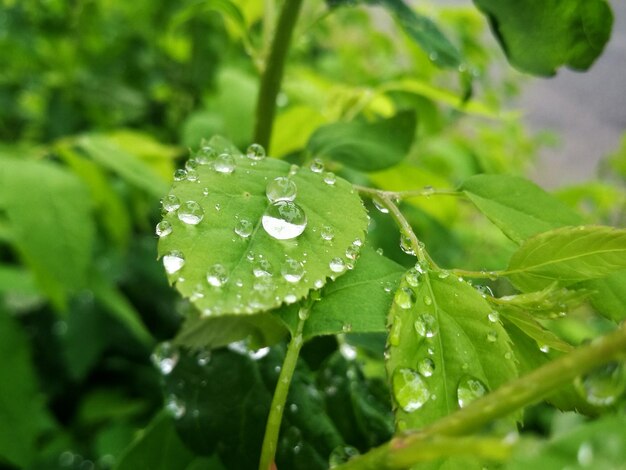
(567, 255)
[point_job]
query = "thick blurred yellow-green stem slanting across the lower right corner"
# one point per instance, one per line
(524, 391)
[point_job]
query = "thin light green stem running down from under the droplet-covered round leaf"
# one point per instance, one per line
(272, 427)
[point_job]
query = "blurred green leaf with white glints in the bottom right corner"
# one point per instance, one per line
(599, 444)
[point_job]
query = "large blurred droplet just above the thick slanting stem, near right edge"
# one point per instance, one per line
(604, 385)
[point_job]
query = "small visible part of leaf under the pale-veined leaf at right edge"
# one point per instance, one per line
(608, 295)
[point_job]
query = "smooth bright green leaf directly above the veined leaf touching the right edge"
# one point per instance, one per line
(518, 207)
